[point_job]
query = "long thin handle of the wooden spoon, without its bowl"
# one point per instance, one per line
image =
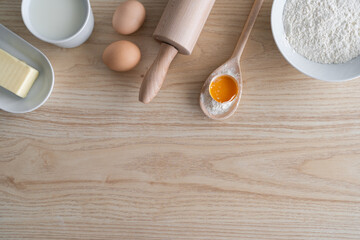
(250, 22)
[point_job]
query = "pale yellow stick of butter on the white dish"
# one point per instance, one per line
(15, 75)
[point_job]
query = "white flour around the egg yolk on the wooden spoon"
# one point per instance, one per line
(212, 106)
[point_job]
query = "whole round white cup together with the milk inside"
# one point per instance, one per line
(64, 23)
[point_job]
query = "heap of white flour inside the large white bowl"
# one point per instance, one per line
(324, 31)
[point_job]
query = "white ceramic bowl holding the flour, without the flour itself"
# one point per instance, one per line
(326, 72)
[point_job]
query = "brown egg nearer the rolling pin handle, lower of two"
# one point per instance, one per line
(121, 56)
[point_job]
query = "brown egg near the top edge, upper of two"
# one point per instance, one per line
(128, 17)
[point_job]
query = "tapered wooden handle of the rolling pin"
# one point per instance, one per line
(155, 76)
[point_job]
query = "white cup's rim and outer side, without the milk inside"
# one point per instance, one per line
(73, 41)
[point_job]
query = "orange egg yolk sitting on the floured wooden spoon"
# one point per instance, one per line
(223, 89)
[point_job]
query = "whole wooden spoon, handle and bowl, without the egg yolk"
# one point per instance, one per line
(232, 68)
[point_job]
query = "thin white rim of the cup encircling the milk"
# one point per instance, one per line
(25, 14)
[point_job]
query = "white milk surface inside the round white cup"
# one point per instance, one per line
(57, 19)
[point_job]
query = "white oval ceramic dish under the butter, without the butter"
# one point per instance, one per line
(43, 85)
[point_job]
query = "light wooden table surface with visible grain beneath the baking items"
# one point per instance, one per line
(94, 163)
